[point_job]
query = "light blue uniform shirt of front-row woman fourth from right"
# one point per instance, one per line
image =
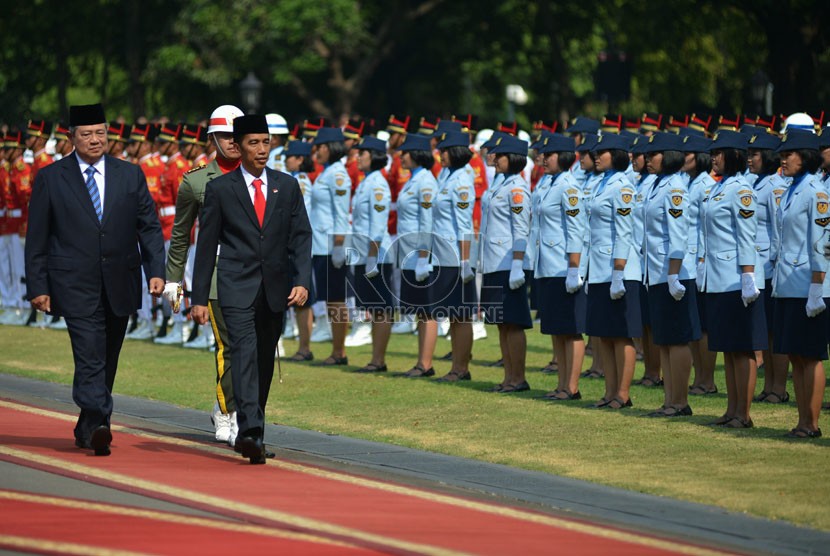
(610, 224)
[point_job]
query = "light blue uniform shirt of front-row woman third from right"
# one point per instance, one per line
(666, 228)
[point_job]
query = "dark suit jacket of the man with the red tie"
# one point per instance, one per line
(249, 255)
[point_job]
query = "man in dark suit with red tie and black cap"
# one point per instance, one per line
(256, 217)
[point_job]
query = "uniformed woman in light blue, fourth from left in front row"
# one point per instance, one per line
(412, 247)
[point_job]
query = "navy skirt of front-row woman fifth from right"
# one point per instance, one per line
(561, 313)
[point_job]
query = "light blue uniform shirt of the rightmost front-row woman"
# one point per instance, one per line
(803, 224)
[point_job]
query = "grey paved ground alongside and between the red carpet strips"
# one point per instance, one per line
(470, 479)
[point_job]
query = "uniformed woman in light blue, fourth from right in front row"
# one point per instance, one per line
(613, 271)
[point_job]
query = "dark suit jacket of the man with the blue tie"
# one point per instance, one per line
(70, 256)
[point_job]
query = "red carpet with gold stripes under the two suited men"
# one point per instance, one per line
(282, 496)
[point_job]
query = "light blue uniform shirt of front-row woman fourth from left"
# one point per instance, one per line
(415, 202)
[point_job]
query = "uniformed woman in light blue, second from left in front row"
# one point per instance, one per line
(330, 224)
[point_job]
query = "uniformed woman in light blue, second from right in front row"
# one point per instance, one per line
(728, 270)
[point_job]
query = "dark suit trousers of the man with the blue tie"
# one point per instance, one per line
(96, 344)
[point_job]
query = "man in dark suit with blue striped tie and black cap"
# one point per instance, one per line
(92, 224)
